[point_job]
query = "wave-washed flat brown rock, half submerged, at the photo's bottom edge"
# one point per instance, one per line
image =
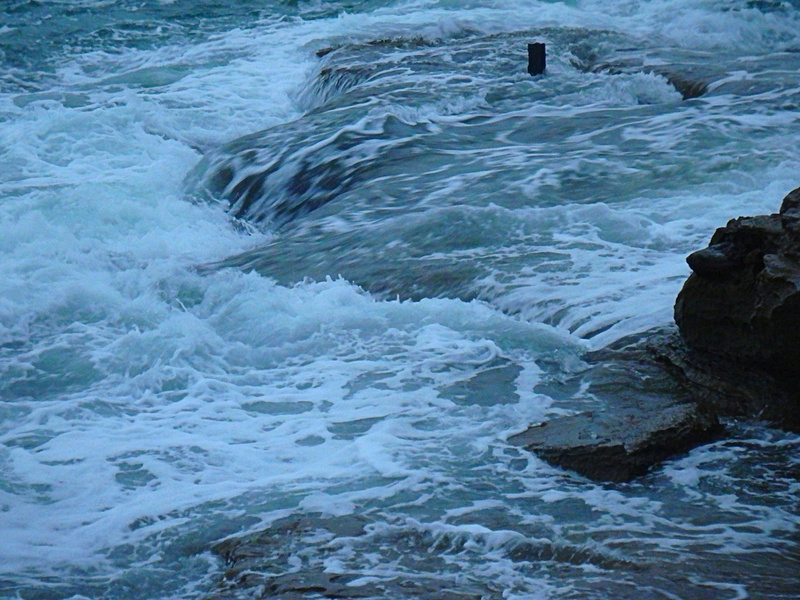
(373, 555)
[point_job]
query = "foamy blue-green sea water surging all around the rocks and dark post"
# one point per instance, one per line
(275, 259)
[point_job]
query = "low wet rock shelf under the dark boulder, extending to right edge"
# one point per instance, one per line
(656, 398)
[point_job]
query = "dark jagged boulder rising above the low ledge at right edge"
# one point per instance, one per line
(742, 301)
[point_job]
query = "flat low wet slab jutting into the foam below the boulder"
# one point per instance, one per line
(643, 414)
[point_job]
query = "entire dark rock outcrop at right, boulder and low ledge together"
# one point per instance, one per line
(736, 353)
